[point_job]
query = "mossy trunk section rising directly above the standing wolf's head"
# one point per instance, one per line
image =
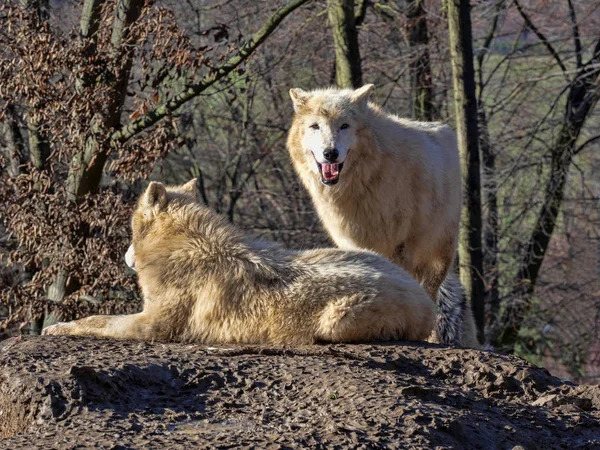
(342, 21)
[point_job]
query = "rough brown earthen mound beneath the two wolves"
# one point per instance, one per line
(61, 392)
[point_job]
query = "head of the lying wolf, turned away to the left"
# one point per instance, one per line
(154, 200)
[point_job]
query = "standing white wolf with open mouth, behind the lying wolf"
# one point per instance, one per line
(385, 184)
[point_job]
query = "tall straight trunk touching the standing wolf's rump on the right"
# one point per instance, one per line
(463, 74)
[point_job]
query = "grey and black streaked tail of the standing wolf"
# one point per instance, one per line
(454, 323)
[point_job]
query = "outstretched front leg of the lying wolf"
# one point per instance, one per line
(134, 326)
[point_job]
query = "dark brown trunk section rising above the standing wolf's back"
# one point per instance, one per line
(420, 67)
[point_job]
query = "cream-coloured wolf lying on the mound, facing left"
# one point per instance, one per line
(204, 281)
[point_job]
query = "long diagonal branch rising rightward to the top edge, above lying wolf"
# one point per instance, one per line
(127, 132)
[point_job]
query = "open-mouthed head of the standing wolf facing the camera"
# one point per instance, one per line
(328, 122)
